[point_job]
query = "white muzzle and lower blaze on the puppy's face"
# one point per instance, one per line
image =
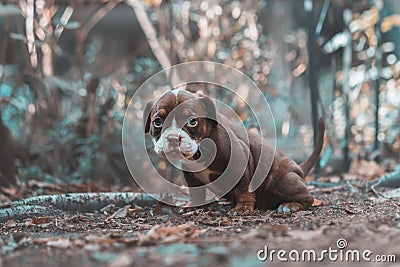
(187, 146)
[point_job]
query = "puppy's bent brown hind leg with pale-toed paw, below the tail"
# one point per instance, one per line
(294, 193)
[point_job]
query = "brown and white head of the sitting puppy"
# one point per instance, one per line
(178, 121)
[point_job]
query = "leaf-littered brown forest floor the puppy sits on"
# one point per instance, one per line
(209, 236)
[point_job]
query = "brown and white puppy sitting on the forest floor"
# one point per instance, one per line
(196, 118)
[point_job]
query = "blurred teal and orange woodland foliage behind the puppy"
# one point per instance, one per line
(69, 68)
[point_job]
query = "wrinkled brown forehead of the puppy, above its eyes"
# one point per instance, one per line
(179, 102)
